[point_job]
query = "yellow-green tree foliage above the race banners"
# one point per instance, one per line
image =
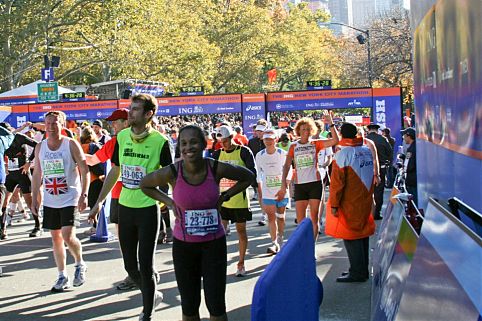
(226, 46)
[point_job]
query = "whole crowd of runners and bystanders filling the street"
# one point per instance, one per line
(207, 164)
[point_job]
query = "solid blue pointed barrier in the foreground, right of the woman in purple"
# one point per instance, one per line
(289, 288)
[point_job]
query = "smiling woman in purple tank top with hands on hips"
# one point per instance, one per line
(199, 248)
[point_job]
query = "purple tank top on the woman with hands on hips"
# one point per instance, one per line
(189, 197)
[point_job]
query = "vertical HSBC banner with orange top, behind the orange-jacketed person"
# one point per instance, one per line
(387, 111)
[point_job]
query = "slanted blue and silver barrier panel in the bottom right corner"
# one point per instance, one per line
(444, 282)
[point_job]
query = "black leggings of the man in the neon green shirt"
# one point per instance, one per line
(138, 231)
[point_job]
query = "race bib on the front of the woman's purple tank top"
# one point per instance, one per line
(201, 222)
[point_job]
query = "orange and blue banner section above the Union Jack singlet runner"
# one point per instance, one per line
(75, 110)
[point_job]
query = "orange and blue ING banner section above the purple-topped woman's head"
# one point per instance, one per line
(197, 105)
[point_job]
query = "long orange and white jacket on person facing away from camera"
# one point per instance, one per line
(351, 191)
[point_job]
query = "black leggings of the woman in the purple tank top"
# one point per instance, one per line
(193, 261)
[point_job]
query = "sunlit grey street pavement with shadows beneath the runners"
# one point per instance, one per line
(29, 272)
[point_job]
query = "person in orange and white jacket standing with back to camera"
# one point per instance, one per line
(351, 200)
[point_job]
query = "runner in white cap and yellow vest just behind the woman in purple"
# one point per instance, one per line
(237, 209)
